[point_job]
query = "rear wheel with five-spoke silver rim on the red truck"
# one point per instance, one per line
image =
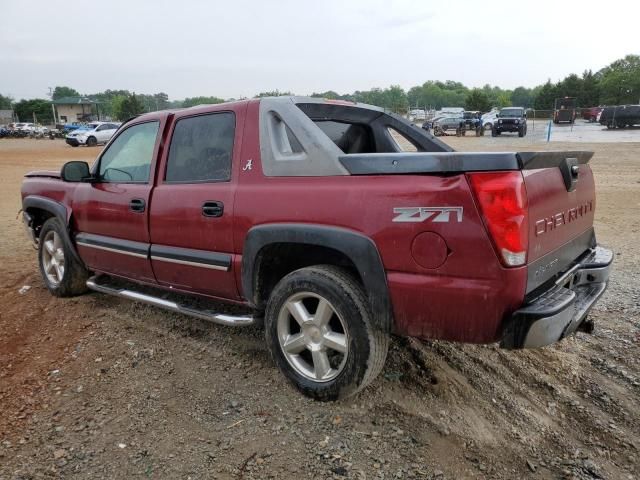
(320, 333)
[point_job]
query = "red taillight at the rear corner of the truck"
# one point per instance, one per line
(503, 201)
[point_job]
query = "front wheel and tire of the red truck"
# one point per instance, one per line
(63, 275)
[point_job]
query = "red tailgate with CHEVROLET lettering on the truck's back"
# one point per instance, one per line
(561, 198)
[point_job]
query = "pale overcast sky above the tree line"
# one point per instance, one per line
(238, 48)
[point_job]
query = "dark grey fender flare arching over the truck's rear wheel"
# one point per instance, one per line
(360, 249)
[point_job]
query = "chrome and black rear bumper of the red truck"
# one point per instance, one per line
(562, 309)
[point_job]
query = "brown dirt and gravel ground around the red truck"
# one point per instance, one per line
(97, 387)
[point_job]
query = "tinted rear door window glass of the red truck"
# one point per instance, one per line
(201, 149)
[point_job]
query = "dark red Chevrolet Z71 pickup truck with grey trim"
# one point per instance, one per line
(334, 223)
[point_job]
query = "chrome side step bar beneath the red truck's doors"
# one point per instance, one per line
(219, 318)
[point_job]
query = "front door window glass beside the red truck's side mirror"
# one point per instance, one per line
(129, 157)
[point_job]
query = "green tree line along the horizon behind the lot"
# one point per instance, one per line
(615, 84)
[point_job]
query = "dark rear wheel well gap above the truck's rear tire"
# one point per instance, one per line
(275, 261)
